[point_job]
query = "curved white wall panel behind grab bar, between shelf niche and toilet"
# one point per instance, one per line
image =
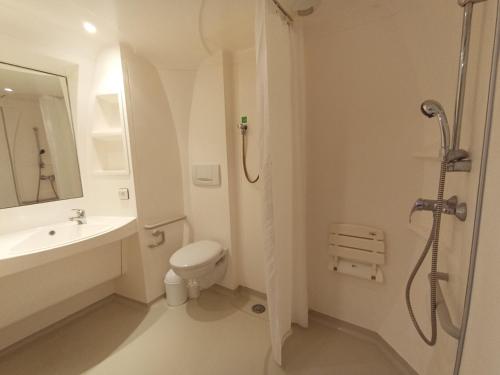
(156, 170)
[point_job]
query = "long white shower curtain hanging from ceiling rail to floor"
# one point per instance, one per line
(280, 109)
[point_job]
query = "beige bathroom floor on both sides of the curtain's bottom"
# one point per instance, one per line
(214, 335)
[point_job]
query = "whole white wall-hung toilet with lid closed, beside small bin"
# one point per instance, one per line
(201, 264)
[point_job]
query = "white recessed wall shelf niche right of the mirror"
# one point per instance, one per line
(108, 136)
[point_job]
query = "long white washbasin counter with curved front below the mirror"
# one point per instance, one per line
(37, 246)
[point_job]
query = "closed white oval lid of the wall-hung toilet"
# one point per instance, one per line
(195, 254)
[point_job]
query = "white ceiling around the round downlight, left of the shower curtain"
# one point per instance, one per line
(170, 33)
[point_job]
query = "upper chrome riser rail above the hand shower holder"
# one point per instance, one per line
(462, 74)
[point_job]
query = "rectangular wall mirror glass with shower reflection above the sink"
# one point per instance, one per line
(38, 157)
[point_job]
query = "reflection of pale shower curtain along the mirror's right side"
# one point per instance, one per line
(62, 148)
